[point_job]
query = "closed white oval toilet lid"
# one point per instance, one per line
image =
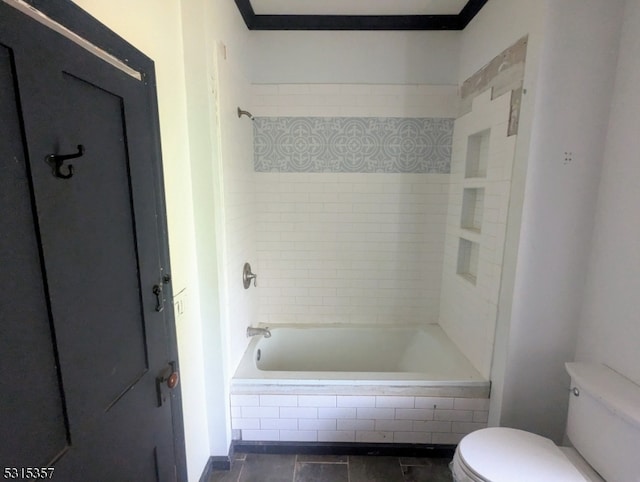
(506, 454)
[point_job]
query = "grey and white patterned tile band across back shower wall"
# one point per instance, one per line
(352, 144)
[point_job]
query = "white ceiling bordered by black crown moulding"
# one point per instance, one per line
(358, 14)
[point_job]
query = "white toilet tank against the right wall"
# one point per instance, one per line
(604, 420)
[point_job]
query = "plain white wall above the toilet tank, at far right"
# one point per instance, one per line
(610, 323)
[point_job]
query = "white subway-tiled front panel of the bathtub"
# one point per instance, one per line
(356, 418)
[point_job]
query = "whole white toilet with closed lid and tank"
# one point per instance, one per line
(603, 427)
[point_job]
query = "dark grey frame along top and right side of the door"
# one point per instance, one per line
(79, 22)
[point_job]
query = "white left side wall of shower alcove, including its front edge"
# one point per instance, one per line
(217, 61)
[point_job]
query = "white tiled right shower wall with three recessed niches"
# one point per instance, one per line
(483, 159)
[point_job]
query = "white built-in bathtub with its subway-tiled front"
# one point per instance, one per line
(356, 383)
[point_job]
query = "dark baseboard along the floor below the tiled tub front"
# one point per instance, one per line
(344, 448)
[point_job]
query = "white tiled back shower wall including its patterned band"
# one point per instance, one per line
(344, 246)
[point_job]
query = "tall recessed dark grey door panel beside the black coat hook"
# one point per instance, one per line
(94, 207)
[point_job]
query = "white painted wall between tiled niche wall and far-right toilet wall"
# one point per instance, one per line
(568, 80)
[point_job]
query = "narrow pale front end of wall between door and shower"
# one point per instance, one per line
(202, 122)
